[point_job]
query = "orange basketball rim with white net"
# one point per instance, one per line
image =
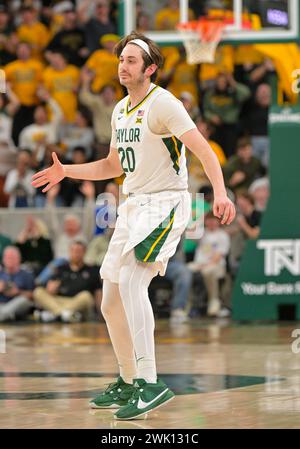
(200, 39)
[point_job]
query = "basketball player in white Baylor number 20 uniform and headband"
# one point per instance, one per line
(150, 129)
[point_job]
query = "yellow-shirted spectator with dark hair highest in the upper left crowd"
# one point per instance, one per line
(33, 31)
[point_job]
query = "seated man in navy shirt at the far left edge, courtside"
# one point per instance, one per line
(16, 286)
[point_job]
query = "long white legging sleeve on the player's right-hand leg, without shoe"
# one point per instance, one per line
(134, 281)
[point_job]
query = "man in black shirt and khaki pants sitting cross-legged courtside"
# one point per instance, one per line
(69, 293)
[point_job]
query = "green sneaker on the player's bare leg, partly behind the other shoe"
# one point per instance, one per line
(116, 394)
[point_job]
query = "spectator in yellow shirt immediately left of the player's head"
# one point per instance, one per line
(103, 63)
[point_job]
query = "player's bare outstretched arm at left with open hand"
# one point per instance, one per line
(91, 171)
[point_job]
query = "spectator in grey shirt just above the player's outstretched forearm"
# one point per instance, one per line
(78, 134)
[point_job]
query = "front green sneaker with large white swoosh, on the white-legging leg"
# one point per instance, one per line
(145, 398)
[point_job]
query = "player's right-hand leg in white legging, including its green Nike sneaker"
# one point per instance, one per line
(150, 392)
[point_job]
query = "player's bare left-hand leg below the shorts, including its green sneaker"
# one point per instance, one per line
(118, 393)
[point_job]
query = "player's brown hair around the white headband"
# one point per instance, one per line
(156, 56)
